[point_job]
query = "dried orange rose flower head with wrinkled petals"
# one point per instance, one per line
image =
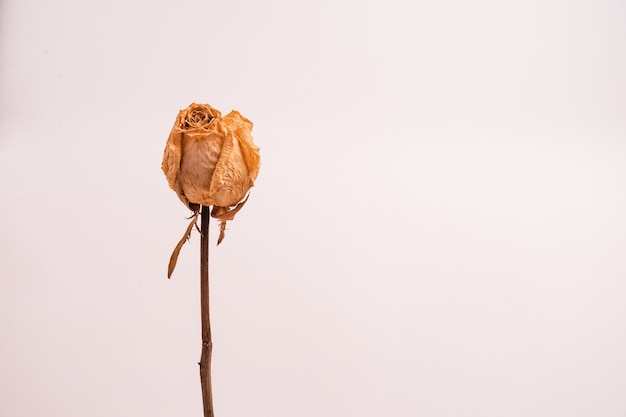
(211, 160)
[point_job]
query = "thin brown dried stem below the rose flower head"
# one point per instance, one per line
(207, 344)
